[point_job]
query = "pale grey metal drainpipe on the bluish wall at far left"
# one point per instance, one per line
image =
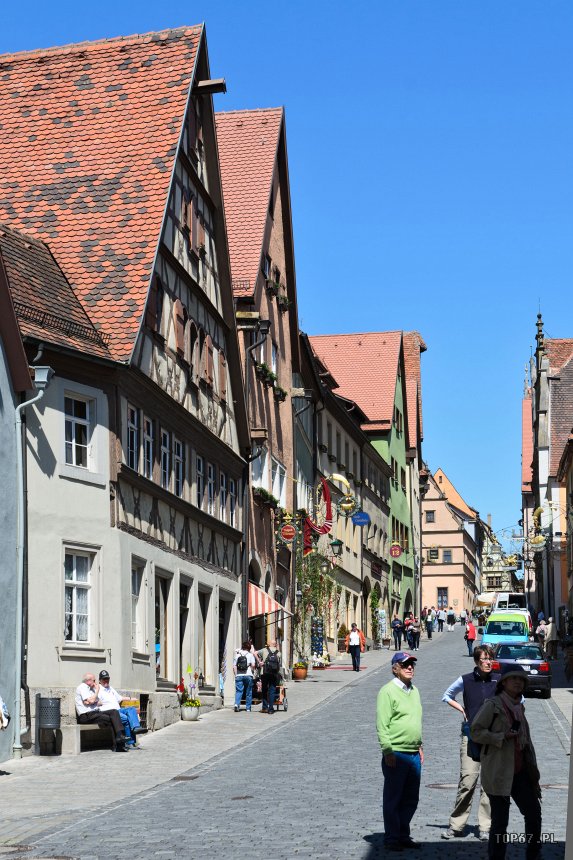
(18, 732)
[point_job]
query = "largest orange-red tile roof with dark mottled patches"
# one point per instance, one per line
(88, 137)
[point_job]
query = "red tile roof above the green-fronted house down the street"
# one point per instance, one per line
(365, 367)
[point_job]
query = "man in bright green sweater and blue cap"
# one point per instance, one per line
(399, 727)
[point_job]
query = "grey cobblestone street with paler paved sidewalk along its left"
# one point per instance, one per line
(306, 784)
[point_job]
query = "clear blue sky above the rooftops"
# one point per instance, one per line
(430, 148)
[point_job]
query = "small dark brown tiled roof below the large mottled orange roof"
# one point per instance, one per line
(46, 307)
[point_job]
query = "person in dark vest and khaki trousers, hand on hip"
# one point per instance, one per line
(476, 687)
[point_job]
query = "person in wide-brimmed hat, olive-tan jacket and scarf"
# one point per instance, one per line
(508, 762)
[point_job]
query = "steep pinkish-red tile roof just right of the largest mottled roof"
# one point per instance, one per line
(248, 142)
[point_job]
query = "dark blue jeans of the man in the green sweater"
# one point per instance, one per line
(400, 797)
